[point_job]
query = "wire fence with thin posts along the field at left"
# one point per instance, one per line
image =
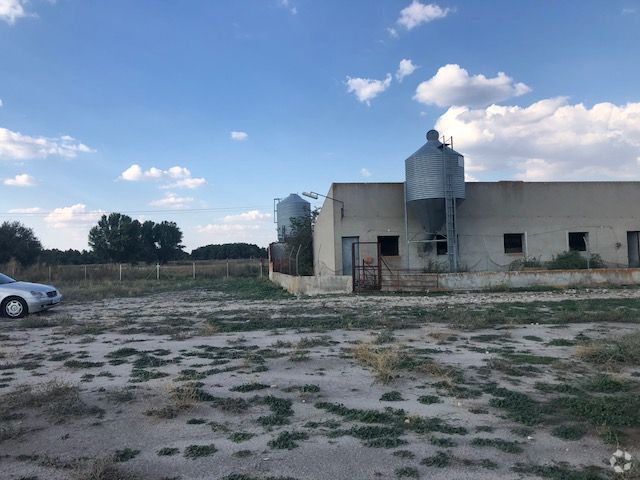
(209, 269)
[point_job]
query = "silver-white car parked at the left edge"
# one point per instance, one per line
(20, 298)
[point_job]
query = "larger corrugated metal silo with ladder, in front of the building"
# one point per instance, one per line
(434, 185)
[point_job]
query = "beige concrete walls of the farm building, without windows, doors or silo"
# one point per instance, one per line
(544, 212)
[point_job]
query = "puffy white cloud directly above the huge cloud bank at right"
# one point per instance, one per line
(452, 85)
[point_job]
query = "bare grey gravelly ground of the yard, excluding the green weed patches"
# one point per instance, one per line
(174, 341)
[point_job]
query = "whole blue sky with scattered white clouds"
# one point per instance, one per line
(202, 112)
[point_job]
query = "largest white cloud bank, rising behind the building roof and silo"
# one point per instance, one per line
(548, 140)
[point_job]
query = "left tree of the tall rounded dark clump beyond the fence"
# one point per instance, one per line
(116, 238)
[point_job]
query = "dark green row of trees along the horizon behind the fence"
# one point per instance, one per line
(116, 238)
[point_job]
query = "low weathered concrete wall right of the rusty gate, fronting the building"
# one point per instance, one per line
(545, 278)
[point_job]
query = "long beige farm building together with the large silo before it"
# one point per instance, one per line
(435, 221)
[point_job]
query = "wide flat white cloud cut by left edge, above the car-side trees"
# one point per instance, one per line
(16, 146)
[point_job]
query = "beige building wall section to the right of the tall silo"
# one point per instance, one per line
(546, 212)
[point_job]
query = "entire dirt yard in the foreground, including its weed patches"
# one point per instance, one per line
(208, 384)
